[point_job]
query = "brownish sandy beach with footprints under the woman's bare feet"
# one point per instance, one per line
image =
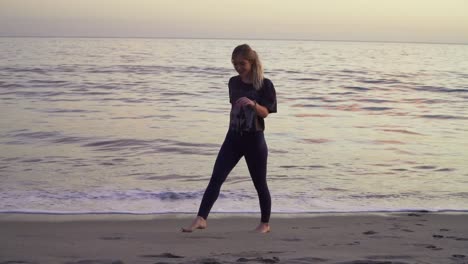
(306, 238)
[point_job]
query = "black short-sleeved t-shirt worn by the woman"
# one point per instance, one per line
(245, 118)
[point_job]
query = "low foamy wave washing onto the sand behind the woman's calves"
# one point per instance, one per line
(138, 201)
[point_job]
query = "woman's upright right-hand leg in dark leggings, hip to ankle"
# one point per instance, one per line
(256, 155)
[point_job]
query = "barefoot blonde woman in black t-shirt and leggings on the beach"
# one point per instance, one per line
(252, 97)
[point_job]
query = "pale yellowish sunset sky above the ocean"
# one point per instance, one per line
(434, 21)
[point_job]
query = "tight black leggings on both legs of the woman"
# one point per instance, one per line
(253, 147)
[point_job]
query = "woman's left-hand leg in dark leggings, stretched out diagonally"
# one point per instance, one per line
(228, 156)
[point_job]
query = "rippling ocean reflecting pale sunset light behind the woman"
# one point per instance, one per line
(133, 126)
